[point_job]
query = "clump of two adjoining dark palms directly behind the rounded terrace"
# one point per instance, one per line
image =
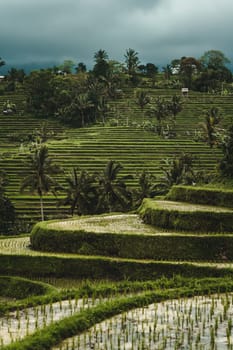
(97, 193)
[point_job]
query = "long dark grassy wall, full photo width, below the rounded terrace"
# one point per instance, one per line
(97, 268)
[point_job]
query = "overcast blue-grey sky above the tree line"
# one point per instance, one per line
(50, 31)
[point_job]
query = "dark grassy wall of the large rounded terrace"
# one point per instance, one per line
(157, 246)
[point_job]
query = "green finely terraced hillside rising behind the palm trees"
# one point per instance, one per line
(91, 147)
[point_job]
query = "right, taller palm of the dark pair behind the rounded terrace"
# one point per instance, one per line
(113, 190)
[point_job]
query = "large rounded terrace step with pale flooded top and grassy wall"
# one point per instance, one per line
(125, 236)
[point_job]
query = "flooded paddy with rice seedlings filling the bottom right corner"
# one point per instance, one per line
(202, 322)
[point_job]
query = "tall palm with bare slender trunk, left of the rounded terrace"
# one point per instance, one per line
(40, 178)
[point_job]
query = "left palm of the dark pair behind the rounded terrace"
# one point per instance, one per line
(81, 193)
